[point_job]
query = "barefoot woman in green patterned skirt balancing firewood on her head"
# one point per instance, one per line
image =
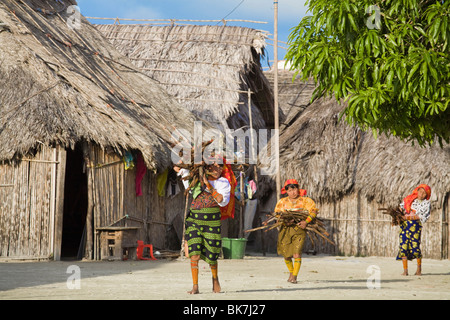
(203, 224)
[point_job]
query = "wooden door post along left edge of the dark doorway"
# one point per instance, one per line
(59, 204)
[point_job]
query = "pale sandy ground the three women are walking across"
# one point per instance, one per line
(253, 278)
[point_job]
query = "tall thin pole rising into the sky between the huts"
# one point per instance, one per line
(275, 96)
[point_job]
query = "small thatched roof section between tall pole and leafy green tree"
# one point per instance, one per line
(294, 95)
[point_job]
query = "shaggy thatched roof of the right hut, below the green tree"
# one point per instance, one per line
(332, 159)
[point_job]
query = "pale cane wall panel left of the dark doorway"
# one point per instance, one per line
(27, 206)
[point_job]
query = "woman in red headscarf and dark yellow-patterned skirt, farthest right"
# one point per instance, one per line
(416, 208)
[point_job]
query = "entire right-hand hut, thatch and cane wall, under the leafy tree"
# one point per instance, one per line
(350, 174)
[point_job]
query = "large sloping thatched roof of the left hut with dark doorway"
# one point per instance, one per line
(60, 85)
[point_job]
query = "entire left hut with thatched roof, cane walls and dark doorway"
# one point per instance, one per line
(71, 107)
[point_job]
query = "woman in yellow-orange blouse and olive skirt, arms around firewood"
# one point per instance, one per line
(291, 237)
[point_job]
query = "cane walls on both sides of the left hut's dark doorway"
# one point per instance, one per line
(31, 214)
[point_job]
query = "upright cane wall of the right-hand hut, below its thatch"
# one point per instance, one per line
(358, 228)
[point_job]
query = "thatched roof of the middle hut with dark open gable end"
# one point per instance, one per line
(206, 68)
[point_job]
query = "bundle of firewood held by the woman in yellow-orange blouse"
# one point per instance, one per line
(292, 217)
